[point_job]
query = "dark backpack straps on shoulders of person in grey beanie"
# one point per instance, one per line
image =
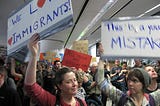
(124, 97)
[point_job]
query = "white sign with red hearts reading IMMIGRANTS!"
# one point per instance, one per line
(45, 17)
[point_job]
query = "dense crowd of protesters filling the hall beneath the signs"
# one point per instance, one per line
(39, 84)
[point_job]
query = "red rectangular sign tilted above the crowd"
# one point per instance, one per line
(76, 59)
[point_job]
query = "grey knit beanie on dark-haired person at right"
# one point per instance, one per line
(147, 78)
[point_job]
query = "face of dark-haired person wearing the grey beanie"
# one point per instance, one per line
(134, 85)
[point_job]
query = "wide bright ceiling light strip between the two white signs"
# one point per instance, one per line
(103, 10)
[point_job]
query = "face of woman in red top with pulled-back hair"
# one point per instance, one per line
(69, 85)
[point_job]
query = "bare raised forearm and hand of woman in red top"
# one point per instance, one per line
(30, 76)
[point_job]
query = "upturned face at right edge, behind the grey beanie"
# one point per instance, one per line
(151, 71)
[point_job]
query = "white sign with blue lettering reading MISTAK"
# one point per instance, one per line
(134, 37)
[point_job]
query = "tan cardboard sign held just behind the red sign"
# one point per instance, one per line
(81, 46)
